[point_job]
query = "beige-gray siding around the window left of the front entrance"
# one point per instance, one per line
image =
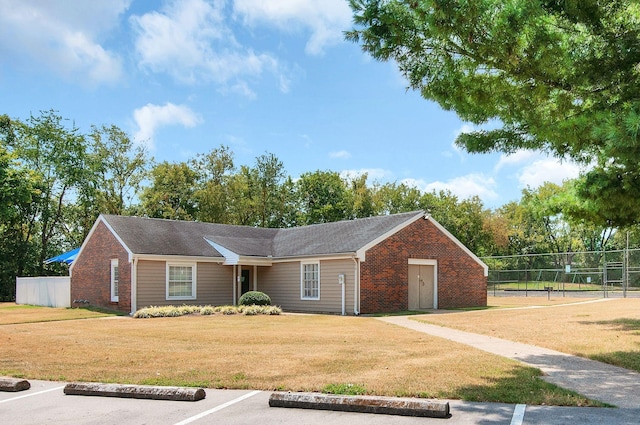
(214, 285)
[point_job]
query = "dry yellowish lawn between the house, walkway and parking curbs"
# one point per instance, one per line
(287, 352)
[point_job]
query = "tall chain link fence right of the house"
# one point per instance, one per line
(615, 271)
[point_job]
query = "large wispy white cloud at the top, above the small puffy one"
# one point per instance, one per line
(191, 41)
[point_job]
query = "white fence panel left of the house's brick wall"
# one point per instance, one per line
(49, 291)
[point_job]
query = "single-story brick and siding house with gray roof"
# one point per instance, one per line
(378, 264)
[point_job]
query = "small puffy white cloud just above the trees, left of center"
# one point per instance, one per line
(150, 117)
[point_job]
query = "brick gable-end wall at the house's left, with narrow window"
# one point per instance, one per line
(91, 273)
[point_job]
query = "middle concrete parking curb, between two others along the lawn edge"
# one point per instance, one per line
(135, 391)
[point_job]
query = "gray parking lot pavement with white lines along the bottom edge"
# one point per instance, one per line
(46, 403)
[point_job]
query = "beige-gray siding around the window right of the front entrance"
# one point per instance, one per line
(282, 283)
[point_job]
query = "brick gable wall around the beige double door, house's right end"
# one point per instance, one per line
(384, 277)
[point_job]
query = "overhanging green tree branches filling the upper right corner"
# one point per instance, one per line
(560, 76)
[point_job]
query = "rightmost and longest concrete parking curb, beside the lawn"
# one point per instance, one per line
(362, 404)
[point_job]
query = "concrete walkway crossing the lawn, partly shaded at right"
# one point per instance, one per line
(598, 381)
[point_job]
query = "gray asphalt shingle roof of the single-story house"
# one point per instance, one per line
(187, 238)
